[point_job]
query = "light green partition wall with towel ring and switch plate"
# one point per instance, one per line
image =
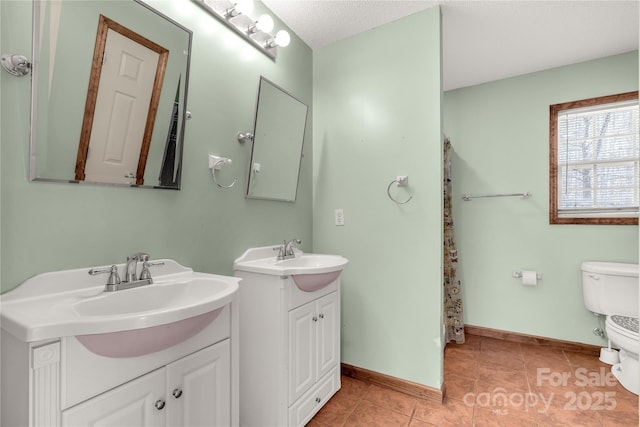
(376, 116)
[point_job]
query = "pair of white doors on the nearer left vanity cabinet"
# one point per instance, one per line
(190, 392)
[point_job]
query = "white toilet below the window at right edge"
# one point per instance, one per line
(611, 289)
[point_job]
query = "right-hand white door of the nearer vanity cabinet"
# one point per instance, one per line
(198, 388)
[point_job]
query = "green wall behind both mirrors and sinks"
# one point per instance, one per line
(52, 226)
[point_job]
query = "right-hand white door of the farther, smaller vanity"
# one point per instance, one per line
(328, 333)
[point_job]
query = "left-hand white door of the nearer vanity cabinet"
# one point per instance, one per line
(139, 403)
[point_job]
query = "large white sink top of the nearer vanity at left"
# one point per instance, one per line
(73, 303)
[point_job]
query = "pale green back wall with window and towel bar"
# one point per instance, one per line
(500, 134)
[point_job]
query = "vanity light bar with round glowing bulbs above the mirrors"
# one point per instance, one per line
(235, 15)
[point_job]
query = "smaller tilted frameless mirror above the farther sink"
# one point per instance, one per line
(277, 144)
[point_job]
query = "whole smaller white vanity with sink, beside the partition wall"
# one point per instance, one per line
(290, 335)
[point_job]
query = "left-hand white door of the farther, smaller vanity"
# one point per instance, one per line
(302, 358)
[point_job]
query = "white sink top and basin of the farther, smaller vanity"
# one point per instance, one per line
(310, 272)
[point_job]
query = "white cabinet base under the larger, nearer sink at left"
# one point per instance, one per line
(62, 383)
